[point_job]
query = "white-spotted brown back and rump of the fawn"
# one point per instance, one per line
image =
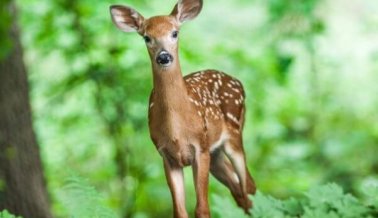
(217, 96)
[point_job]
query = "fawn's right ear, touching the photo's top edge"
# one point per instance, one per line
(186, 10)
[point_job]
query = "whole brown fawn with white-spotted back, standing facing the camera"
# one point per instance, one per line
(193, 120)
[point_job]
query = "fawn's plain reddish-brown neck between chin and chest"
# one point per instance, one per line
(169, 88)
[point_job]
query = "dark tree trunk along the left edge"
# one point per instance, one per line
(22, 186)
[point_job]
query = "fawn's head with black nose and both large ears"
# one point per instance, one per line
(159, 32)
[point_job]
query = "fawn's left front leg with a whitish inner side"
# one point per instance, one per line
(175, 179)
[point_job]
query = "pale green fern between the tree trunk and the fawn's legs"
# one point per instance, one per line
(81, 200)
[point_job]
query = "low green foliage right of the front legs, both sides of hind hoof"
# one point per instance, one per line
(328, 201)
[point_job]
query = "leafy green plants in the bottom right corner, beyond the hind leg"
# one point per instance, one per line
(324, 201)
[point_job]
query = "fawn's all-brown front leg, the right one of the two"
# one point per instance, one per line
(201, 168)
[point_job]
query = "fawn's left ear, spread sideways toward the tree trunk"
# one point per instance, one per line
(126, 19)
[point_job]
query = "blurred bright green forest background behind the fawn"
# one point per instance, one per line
(310, 70)
